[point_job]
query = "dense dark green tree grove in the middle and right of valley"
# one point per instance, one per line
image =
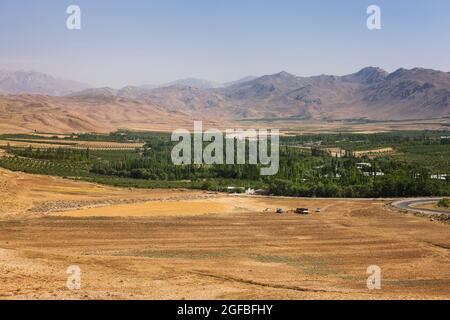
(300, 174)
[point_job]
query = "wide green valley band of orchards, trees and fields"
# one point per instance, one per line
(395, 164)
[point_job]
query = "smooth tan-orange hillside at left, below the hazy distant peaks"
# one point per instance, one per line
(82, 114)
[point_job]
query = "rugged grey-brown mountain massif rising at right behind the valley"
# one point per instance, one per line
(371, 93)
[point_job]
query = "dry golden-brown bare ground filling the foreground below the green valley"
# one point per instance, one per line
(175, 244)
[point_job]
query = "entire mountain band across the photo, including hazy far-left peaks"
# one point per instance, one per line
(370, 93)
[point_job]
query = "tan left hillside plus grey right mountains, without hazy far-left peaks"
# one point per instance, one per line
(370, 93)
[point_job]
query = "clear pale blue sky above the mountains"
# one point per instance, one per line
(138, 42)
